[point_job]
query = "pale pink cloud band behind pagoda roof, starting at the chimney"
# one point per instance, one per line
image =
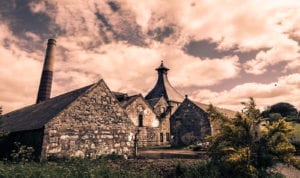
(131, 68)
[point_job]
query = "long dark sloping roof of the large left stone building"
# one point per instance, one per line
(37, 115)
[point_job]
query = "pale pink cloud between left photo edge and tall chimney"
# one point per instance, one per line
(20, 71)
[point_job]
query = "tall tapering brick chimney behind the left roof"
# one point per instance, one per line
(47, 74)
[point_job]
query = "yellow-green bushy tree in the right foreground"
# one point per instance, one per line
(244, 147)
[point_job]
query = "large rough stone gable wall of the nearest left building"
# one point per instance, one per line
(93, 125)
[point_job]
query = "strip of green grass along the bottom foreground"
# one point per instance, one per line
(99, 168)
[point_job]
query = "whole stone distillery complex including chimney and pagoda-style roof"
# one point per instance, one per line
(92, 121)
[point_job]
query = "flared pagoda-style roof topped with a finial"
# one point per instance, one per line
(163, 87)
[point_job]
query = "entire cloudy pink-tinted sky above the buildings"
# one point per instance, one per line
(219, 52)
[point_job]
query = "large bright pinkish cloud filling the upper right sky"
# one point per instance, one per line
(254, 25)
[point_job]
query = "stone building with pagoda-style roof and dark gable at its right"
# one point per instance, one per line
(182, 121)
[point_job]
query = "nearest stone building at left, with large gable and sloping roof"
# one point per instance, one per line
(87, 122)
